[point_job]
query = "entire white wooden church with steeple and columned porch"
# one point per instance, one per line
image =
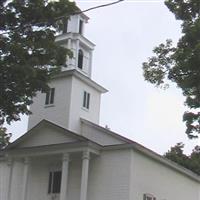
(67, 155)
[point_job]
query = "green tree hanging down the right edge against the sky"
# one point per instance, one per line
(181, 63)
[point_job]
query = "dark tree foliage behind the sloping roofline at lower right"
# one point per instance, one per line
(191, 162)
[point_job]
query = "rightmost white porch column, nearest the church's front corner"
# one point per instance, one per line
(84, 176)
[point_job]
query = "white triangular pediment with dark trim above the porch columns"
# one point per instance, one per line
(46, 133)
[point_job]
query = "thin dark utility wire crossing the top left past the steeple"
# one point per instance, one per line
(74, 13)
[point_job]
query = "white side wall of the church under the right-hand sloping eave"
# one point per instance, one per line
(149, 176)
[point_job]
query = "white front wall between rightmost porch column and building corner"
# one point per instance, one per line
(109, 176)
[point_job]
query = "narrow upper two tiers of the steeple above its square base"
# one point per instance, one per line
(73, 38)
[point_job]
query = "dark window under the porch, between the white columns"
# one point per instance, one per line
(54, 182)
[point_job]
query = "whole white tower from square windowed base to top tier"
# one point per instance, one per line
(73, 94)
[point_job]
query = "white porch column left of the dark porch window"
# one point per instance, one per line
(25, 178)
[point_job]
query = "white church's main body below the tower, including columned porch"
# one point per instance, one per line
(52, 163)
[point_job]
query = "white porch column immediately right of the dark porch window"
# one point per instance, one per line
(64, 180)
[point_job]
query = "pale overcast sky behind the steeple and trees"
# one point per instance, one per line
(125, 35)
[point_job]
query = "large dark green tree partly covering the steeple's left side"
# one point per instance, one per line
(29, 55)
